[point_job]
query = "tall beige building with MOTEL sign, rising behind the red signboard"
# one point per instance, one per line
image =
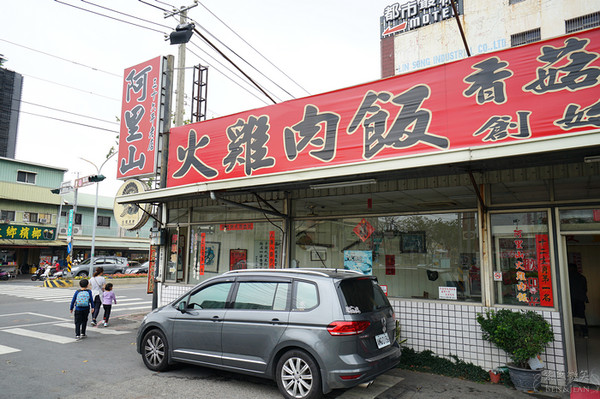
(414, 37)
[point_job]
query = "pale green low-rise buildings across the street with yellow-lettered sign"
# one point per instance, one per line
(31, 230)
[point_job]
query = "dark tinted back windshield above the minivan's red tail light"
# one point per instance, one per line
(362, 295)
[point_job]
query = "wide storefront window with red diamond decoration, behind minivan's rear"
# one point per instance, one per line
(432, 256)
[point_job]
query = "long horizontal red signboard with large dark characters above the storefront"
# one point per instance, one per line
(536, 91)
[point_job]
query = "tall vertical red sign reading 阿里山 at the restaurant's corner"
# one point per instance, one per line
(140, 119)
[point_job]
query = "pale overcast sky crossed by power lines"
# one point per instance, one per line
(73, 61)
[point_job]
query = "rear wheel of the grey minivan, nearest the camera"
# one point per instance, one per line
(298, 376)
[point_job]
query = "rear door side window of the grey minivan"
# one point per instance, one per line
(261, 295)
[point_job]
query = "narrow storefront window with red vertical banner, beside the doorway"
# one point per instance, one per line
(522, 262)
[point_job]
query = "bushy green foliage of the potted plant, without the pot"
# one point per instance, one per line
(521, 334)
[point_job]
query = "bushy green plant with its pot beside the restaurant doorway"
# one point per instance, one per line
(523, 335)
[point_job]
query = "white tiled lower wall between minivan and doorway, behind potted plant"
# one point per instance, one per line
(452, 329)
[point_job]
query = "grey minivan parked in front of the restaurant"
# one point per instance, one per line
(312, 330)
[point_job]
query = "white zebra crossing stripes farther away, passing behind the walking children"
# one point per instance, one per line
(64, 295)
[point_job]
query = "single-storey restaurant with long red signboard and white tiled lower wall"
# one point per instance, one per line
(465, 186)
